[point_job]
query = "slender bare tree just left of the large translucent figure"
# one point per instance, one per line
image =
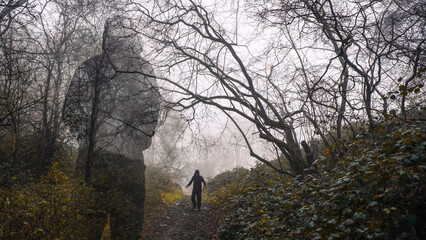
(58, 49)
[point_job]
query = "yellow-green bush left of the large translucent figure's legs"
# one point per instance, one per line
(55, 207)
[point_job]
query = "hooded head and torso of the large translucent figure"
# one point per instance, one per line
(113, 100)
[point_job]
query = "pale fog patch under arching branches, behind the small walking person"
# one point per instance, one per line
(211, 145)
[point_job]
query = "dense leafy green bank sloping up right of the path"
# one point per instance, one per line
(375, 192)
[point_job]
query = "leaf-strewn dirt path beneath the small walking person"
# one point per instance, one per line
(180, 222)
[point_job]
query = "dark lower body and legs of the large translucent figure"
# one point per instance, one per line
(119, 190)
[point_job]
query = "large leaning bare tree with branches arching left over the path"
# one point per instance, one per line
(191, 38)
